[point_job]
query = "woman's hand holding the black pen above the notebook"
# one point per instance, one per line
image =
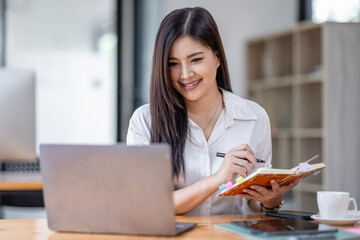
(237, 161)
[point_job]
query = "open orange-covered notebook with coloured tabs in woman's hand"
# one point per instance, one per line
(262, 176)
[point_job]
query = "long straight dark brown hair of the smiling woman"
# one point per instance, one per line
(169, 120)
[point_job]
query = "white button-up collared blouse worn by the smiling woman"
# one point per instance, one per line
(242, 121)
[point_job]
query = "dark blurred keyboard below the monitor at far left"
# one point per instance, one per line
(20, 166)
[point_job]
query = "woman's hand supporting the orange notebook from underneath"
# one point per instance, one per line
(269, 197)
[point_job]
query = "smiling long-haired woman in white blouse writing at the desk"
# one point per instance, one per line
(192, 109)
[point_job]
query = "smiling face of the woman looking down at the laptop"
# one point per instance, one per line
(193, 68)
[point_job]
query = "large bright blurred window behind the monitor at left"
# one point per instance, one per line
(71, 45)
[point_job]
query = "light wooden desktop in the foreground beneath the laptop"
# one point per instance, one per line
(38, 230)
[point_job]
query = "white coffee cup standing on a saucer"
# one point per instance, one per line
(333, 204)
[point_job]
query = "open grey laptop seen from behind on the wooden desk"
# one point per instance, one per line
(113, 189)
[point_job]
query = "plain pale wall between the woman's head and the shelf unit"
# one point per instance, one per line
(239, 20)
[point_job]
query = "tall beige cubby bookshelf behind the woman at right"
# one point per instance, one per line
(306, 78)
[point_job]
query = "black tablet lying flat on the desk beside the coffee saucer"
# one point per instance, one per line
(284, 226)
